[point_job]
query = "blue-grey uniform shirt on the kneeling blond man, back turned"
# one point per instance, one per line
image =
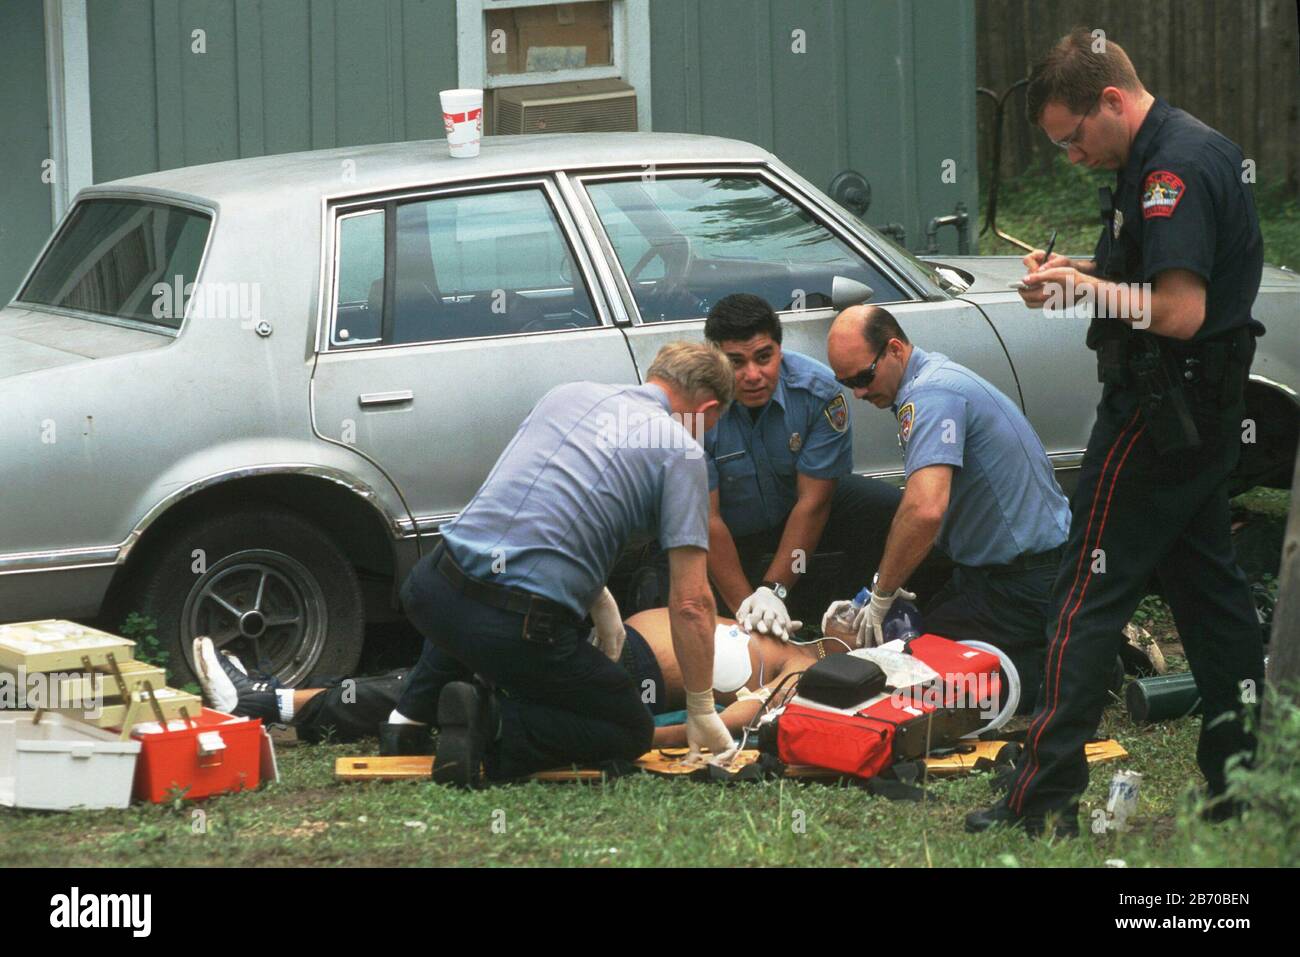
(591, 467)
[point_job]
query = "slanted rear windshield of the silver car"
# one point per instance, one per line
(125, 259)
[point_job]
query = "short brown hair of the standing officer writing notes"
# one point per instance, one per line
(1076, 72)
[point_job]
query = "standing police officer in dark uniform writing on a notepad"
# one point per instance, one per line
(1173, 280)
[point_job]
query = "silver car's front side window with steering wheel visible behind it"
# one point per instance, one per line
(686, 243)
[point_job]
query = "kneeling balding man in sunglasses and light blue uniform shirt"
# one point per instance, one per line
(980, 487)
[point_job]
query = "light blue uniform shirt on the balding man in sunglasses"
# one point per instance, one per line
(1006, 500)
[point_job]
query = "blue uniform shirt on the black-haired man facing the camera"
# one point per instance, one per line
(804, 430)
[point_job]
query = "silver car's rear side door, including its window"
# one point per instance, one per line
(452, 313)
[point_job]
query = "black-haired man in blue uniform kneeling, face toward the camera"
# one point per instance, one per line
(781, 473)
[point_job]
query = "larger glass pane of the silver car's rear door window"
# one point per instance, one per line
(484, 265)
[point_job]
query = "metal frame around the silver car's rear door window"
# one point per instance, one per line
(336, 210)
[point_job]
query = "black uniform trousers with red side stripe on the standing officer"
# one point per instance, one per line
(1136, 513)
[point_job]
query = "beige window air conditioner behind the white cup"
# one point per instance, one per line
(588, 106)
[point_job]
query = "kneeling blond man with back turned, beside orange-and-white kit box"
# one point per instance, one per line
(506, 672)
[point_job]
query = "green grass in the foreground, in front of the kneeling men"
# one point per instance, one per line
(311, 820)
